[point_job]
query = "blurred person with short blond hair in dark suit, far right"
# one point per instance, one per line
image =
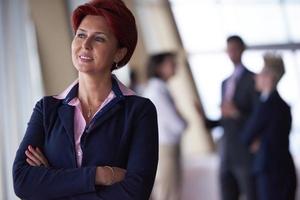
(267, 135)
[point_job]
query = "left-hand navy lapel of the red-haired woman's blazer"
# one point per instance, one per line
(66, 115)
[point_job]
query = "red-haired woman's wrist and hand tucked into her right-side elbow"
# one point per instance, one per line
(109, 175)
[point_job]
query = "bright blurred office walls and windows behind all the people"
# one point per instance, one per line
(35, 60)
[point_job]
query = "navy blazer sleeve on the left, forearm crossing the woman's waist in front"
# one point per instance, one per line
(43, 182)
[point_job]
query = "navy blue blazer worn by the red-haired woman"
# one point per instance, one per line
(123, 134)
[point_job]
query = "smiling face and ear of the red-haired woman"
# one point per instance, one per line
(94, 47)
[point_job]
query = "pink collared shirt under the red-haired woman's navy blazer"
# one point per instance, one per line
(79, 121)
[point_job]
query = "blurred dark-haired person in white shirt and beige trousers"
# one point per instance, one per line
(162, 67)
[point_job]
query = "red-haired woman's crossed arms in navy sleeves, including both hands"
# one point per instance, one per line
(33, 181)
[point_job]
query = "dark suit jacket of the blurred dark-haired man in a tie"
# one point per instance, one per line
(233, 151)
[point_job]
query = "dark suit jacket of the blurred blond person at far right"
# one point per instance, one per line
(271, 122)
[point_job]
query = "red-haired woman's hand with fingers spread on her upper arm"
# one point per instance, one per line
(35, 157)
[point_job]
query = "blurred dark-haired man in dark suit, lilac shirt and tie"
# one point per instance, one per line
(238, 100)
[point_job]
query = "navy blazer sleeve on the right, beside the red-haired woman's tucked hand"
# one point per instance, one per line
(142, 161)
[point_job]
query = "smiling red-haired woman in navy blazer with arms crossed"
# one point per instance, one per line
(97, 139)
